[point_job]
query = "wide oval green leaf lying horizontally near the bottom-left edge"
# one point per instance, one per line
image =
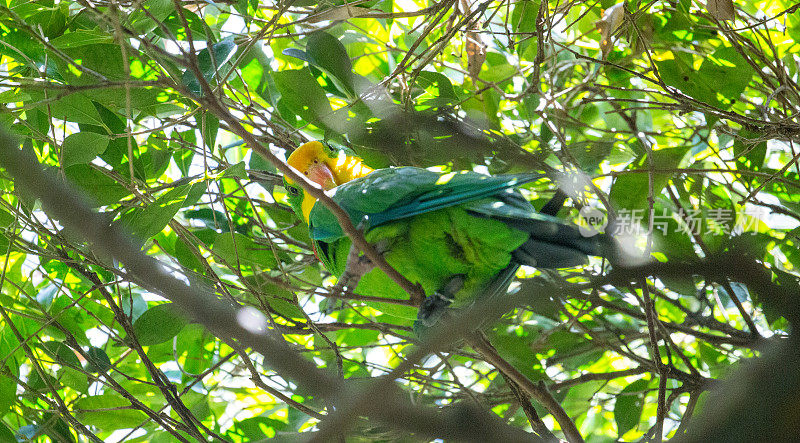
(108, 412)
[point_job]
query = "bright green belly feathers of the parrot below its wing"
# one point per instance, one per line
(430, 249)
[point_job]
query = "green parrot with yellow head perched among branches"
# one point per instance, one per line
(457, 235)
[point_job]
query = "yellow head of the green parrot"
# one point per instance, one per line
(325, 167)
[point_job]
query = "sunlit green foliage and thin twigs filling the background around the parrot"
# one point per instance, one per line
(673, 118)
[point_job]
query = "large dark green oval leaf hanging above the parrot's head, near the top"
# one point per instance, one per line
(327, 53)
